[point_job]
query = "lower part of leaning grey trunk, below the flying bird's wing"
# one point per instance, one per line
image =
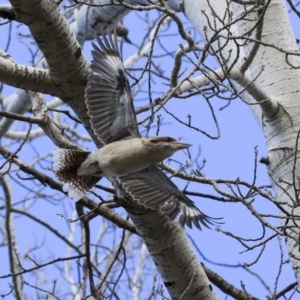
(174, 257)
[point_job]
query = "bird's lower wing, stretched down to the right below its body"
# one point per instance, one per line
(153, 189)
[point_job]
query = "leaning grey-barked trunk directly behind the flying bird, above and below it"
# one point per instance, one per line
(172, 253)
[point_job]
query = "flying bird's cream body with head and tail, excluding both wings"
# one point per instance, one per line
(112, 160)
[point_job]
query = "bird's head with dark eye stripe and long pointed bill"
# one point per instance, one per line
(164, 146)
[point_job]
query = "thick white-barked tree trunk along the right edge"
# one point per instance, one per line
(279, 120)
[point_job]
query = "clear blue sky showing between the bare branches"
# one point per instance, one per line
(230, 157)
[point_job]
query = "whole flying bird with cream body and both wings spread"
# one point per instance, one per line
(125, 157)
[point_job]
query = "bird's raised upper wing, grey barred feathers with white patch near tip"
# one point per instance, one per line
(108, 95)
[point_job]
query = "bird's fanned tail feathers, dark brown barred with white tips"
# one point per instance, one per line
(65, 163)
